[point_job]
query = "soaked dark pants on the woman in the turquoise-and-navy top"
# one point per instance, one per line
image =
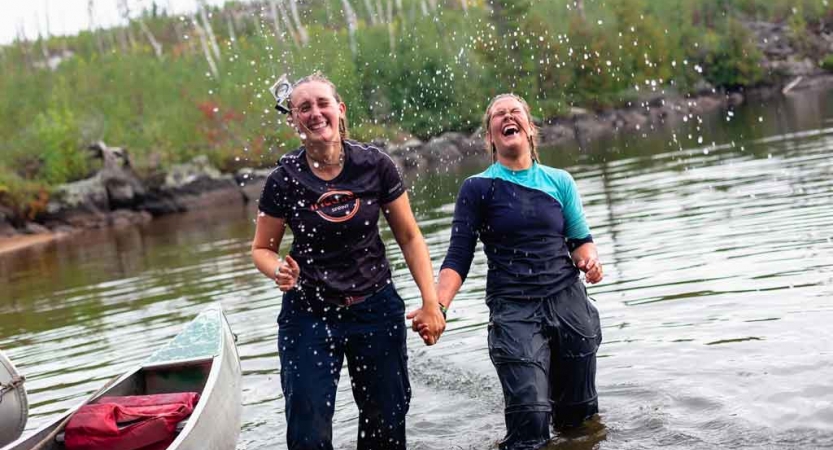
(545, 355)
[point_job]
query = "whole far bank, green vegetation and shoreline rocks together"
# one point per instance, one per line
(185, 97)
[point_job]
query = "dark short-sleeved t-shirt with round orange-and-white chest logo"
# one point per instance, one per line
(335, 223)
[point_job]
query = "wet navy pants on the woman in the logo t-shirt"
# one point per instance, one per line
(314, 338)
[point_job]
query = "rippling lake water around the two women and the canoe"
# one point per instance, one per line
(716, 308)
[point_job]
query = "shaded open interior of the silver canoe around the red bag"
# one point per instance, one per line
(184, 376)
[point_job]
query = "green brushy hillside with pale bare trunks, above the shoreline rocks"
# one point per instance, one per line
(405, 68)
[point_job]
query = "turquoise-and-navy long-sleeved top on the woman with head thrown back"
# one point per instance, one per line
(528, 220)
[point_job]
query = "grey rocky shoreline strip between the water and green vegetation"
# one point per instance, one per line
(116, 196)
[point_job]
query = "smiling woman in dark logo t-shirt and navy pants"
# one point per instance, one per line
(339, 300)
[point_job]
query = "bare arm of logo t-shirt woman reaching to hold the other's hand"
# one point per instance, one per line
(405, 230)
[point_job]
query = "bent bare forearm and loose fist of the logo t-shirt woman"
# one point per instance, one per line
(268, 236)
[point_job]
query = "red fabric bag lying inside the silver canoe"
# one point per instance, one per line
(141, 422)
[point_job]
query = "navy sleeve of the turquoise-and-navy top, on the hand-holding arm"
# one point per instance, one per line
(465, 230)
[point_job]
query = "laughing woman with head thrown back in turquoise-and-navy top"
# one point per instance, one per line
(543, 332)
